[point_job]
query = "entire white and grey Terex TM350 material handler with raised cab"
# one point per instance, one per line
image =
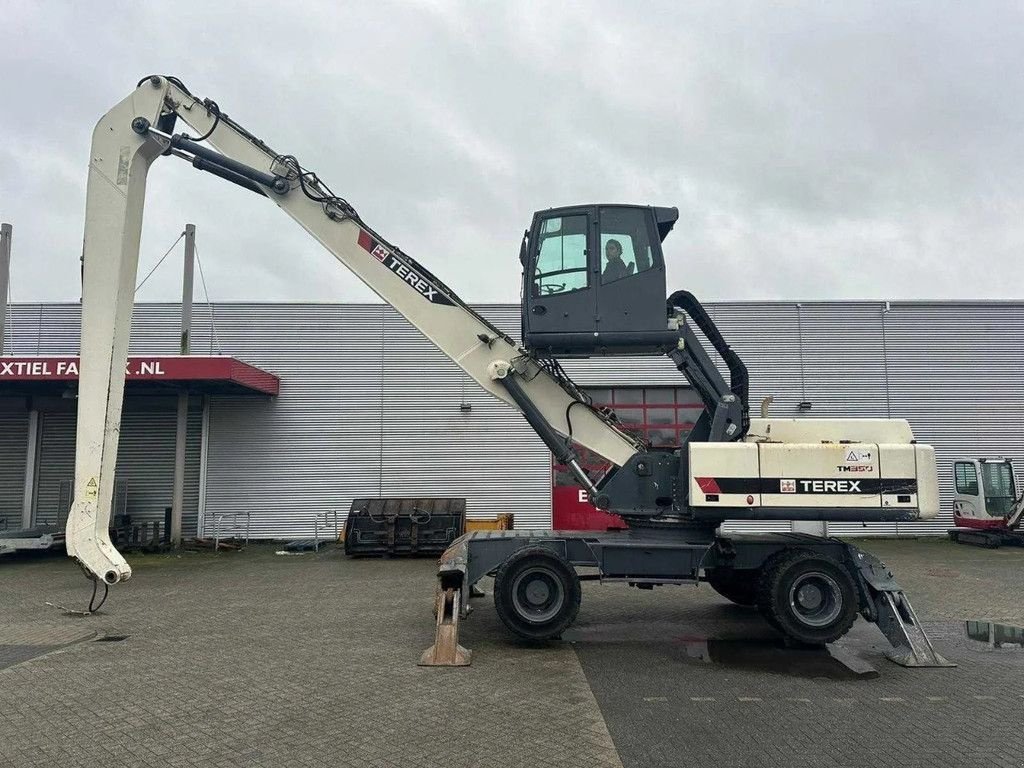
(593, 285)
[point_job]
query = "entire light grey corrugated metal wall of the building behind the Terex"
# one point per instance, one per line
(369, 407)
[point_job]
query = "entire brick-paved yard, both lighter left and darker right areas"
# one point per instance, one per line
(255, 660)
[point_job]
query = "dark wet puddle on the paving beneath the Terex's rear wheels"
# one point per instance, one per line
(834, 663)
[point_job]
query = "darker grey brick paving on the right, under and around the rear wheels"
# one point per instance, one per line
(665, 708)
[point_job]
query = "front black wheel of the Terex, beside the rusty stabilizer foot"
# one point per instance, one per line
(537, 594)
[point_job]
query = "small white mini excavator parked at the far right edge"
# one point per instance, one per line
(989, 508)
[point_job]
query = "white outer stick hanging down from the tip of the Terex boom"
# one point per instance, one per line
(115, 195)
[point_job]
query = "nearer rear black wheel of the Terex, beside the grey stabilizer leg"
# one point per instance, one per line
(808, 596)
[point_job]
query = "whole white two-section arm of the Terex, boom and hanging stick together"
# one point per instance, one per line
(123, 148)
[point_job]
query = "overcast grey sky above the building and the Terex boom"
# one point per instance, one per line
(816, 150)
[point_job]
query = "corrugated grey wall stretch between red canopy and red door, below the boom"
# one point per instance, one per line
(352, 422)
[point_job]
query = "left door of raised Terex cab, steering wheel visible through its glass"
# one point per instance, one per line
(560, 296)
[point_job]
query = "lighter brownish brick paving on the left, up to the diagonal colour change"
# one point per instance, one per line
(251, 659)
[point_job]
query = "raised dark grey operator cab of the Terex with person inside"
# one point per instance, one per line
(594, 282)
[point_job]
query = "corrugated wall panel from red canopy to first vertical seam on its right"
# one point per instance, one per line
(315, 447)
